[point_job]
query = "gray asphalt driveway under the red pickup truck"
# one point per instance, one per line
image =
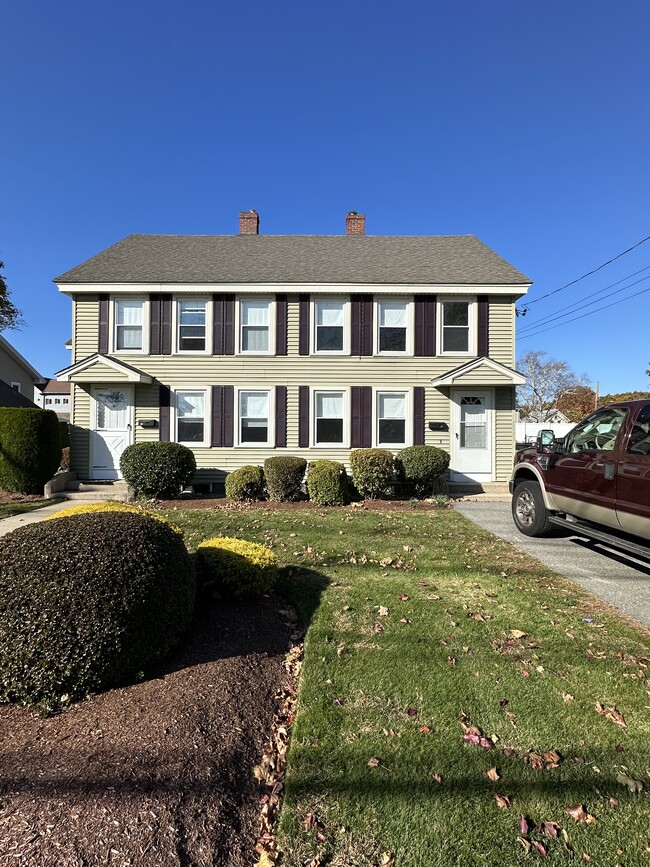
(612, 576)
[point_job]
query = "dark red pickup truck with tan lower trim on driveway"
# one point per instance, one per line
(595, 480)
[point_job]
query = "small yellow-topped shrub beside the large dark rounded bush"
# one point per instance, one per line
(233, 567)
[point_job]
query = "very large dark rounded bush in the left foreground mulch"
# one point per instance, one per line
(113, 599)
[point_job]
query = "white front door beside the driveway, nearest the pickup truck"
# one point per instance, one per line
(472, 436)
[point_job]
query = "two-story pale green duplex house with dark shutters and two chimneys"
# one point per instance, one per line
(245, 346)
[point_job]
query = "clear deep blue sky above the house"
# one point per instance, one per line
(523, 123)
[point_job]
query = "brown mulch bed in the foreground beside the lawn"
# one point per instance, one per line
(158, 773)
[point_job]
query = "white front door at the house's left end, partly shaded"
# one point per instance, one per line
(112, 430)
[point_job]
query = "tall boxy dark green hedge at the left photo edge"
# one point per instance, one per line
(30, 448)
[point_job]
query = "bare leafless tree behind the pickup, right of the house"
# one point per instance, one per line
(546, 381)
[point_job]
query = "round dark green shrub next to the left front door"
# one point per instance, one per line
(157, 469)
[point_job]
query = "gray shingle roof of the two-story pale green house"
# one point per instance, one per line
(437, 259)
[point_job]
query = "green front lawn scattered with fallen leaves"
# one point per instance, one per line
(443, 669)
